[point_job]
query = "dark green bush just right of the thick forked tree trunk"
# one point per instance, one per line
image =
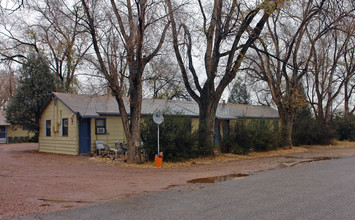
(253, 135)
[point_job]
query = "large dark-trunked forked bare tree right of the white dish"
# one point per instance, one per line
(227, 34)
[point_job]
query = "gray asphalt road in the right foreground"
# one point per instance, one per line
(321, 190)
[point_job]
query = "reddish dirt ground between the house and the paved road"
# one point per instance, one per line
(33, 182)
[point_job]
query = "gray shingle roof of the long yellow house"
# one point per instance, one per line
(95, 105)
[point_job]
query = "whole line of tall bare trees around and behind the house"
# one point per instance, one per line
(290, 53)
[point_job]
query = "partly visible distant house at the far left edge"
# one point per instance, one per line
(13, 134)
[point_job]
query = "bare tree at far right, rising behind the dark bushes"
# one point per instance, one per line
(327, 76)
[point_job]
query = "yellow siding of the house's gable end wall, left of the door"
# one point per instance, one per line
(56, 143)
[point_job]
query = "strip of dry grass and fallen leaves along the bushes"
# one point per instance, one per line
(221, 158)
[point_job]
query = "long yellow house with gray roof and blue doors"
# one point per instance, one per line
(72, 123)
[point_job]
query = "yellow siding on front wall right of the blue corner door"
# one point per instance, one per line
(114, 132)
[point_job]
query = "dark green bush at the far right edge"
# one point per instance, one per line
(345, 128)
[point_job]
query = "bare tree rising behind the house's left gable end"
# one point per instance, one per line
(56, 32)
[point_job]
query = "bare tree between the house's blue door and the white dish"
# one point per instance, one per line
(132, 36)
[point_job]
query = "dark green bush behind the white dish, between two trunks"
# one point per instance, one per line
(176, 140)
